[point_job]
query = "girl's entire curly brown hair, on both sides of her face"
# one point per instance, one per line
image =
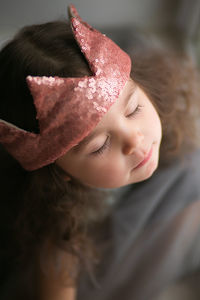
(42, 214)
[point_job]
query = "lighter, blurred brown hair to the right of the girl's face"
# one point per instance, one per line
(171, 81)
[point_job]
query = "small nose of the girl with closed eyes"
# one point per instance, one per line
(132, 141)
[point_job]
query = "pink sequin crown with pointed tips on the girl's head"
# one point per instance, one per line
(68, 109)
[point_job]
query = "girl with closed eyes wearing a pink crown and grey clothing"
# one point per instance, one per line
(74, 124)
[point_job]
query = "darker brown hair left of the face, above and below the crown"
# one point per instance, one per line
(46, 214)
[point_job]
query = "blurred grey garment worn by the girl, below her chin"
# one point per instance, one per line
(154, 235)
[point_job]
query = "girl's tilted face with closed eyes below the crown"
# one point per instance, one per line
(124, 146)
